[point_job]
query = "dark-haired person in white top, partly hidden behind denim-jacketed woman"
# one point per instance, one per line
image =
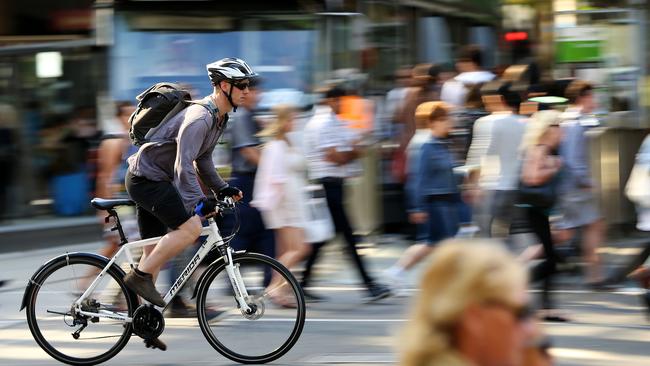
(469, 65)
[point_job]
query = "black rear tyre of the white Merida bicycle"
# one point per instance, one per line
(57, 264)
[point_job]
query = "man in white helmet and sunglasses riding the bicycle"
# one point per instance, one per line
(163, 177)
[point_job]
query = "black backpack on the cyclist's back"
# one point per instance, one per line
(156, 106)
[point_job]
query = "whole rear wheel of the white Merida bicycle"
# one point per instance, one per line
(64, 334)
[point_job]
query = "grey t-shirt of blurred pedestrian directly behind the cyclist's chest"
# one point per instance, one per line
(243, 135)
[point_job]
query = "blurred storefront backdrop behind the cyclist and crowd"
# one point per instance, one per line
(64, 64)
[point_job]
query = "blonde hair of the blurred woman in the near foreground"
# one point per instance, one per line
(461, 273)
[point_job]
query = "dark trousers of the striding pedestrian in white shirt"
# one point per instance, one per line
(334, 195)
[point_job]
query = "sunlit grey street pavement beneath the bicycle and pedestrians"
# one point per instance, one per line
(607, 328)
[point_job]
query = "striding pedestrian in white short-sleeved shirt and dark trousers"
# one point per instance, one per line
(328, 152)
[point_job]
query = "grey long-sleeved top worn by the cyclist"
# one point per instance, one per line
(181, 152)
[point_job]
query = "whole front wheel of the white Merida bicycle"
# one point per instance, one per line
(277, 317)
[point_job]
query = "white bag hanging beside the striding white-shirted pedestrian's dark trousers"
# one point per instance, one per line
(319, 226)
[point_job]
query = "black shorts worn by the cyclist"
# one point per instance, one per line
(158, 206)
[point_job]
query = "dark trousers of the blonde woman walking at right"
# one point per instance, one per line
(544, 271)
